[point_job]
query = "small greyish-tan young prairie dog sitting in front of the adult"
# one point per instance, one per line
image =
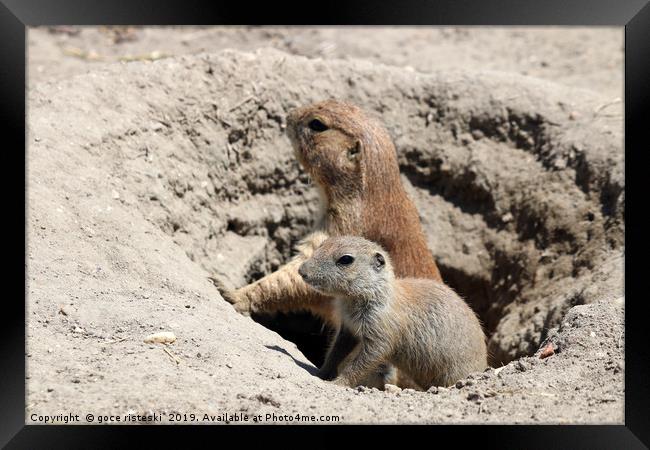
(420, 326)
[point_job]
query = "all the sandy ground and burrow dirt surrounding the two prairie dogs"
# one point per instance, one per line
(149, 172)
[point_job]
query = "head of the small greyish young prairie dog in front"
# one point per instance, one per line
(348, 266)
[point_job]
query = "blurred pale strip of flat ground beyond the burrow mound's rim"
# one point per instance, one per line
(581, 57)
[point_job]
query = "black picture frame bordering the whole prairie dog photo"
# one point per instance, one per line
(634, 15)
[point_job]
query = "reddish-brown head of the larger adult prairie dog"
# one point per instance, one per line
(336, 143)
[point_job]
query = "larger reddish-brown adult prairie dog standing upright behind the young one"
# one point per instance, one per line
(354, 165)
